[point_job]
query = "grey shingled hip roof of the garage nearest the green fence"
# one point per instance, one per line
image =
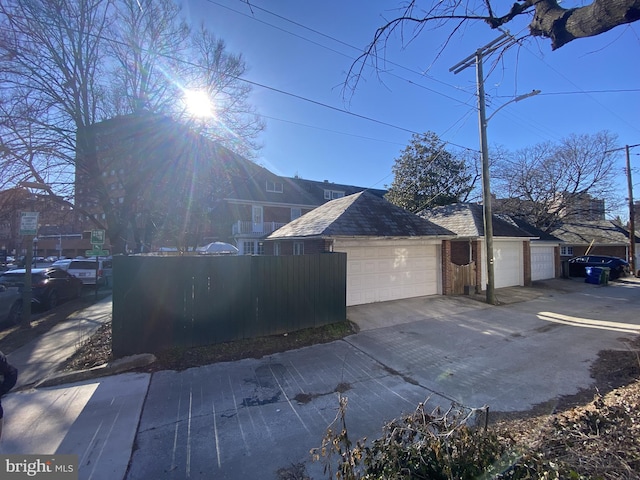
(360, 214)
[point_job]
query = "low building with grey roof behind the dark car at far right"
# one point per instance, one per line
(603, 237)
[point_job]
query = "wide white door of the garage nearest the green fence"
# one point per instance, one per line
(383, 270)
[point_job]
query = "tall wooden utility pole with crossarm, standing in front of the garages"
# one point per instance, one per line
(503, 41)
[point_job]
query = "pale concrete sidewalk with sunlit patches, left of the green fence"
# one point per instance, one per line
(94, 419)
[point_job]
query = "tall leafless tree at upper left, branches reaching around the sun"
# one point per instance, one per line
(66, 65)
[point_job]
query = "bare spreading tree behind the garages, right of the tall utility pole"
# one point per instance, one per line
(549, 182)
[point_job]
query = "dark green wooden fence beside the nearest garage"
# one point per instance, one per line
(164, 302)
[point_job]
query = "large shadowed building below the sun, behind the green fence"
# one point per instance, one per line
(154, 169)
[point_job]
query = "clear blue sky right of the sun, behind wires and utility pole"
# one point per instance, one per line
(304, 48)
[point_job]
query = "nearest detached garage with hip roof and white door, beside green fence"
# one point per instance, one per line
(391, 253)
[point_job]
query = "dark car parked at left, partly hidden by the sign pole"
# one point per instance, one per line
(48, 285)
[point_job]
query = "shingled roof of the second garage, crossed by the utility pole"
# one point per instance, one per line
(466, 220)
